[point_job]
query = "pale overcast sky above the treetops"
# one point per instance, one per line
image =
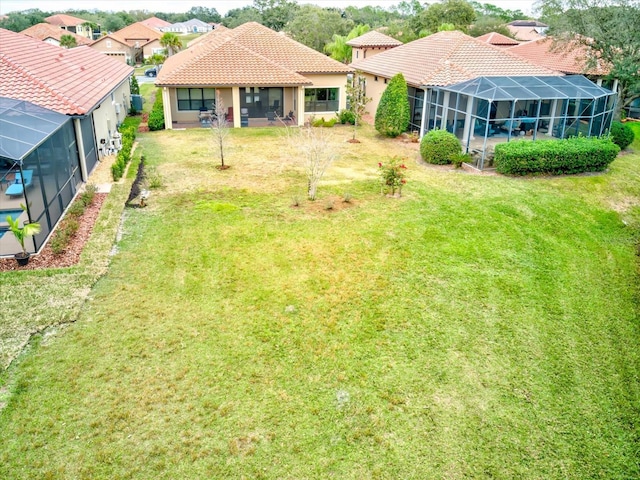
(222, 6)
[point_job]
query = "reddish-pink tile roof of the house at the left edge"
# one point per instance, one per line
(71, 81)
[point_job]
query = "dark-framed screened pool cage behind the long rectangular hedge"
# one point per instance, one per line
(489, 110)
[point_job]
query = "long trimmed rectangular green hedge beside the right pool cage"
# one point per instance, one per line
(571, 155)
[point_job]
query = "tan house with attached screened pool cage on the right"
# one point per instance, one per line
(474, 89)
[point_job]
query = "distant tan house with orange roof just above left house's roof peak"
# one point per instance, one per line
(135, 41)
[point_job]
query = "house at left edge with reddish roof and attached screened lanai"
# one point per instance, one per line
(60, 112)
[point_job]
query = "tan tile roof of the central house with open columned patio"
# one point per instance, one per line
(250, 54)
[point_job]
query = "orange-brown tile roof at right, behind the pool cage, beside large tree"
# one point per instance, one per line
(571, 59)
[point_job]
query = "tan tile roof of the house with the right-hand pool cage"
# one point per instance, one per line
(446, 58)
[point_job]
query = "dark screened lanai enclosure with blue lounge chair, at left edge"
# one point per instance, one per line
(39, 170)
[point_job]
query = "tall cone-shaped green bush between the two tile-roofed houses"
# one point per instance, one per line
(392, 116)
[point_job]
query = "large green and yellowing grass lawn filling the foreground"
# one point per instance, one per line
(478, 327)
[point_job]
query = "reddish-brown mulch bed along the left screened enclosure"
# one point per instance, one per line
(71, 255)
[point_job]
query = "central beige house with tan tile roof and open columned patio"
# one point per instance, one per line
(258, 72)
